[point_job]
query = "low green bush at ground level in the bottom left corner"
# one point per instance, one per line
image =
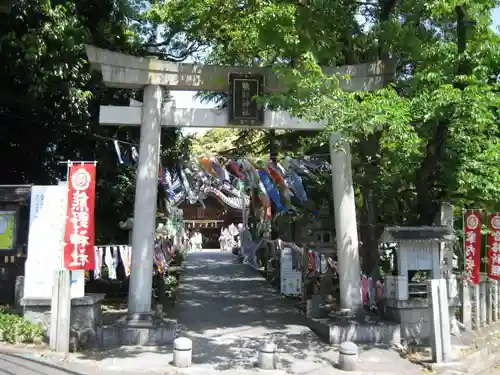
(15, 329)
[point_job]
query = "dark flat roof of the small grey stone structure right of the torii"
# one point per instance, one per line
(424, 233)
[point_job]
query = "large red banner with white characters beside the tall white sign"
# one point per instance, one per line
(79, 236)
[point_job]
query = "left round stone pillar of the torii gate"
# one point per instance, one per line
(146, 189)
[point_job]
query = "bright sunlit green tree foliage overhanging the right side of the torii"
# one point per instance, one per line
(432, 135)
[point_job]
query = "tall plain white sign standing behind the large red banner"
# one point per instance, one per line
(47, 214)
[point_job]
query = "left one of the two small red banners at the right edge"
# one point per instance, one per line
(473, 223)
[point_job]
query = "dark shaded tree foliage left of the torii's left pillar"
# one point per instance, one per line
(49, 98)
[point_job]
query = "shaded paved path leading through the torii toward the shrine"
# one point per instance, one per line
(228, 310)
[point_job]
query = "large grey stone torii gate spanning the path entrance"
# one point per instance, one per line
(126, 71)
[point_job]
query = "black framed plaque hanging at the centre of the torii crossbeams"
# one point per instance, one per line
(243, 110)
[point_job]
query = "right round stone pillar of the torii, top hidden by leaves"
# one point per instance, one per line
(345, 224)
